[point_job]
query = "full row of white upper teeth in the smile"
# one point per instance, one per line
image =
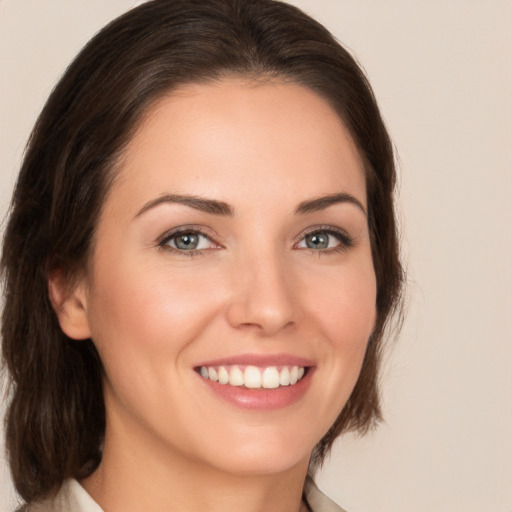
(254, 377)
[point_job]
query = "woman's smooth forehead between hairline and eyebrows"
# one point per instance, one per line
(233, 139)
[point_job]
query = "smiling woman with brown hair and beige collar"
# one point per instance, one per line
(200, 263)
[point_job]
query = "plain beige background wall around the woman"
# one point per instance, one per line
(442, 72)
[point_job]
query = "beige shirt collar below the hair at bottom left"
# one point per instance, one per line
(71, 497)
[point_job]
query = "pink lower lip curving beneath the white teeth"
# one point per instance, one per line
(261, 399)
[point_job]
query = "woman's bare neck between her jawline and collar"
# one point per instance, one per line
(140, 474)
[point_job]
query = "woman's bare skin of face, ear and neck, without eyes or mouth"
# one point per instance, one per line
(254, 287)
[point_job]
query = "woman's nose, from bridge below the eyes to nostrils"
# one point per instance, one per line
(262, 297)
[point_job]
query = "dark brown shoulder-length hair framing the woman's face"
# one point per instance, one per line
(56, 418)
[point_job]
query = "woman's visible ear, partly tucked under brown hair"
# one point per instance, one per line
(70, 305)
